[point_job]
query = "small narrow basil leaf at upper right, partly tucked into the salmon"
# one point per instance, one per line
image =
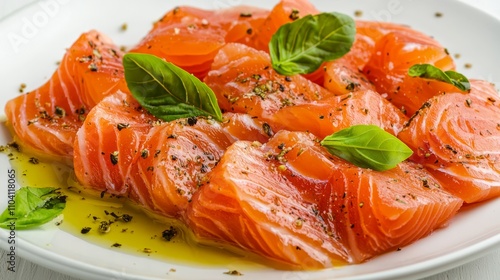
(429, 71)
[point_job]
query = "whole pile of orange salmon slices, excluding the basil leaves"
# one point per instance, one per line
(259, 179)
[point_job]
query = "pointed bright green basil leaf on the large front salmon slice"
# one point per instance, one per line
(367, 146)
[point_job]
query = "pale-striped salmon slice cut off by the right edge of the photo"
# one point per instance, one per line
(456, 137)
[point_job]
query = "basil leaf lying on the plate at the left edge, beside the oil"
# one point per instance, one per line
(33, 207)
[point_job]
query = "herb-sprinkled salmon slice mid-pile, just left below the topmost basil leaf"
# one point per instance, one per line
(243, 81)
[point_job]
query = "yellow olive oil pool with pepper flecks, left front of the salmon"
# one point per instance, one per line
(141, 233)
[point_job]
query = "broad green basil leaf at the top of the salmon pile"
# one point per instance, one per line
(300, 47)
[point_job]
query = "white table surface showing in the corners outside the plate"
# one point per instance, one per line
(485, 268)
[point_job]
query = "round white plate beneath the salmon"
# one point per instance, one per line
(34, 38)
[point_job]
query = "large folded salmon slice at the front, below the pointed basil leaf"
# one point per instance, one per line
(288, 200)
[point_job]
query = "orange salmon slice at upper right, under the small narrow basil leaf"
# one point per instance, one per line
(393, 55)
